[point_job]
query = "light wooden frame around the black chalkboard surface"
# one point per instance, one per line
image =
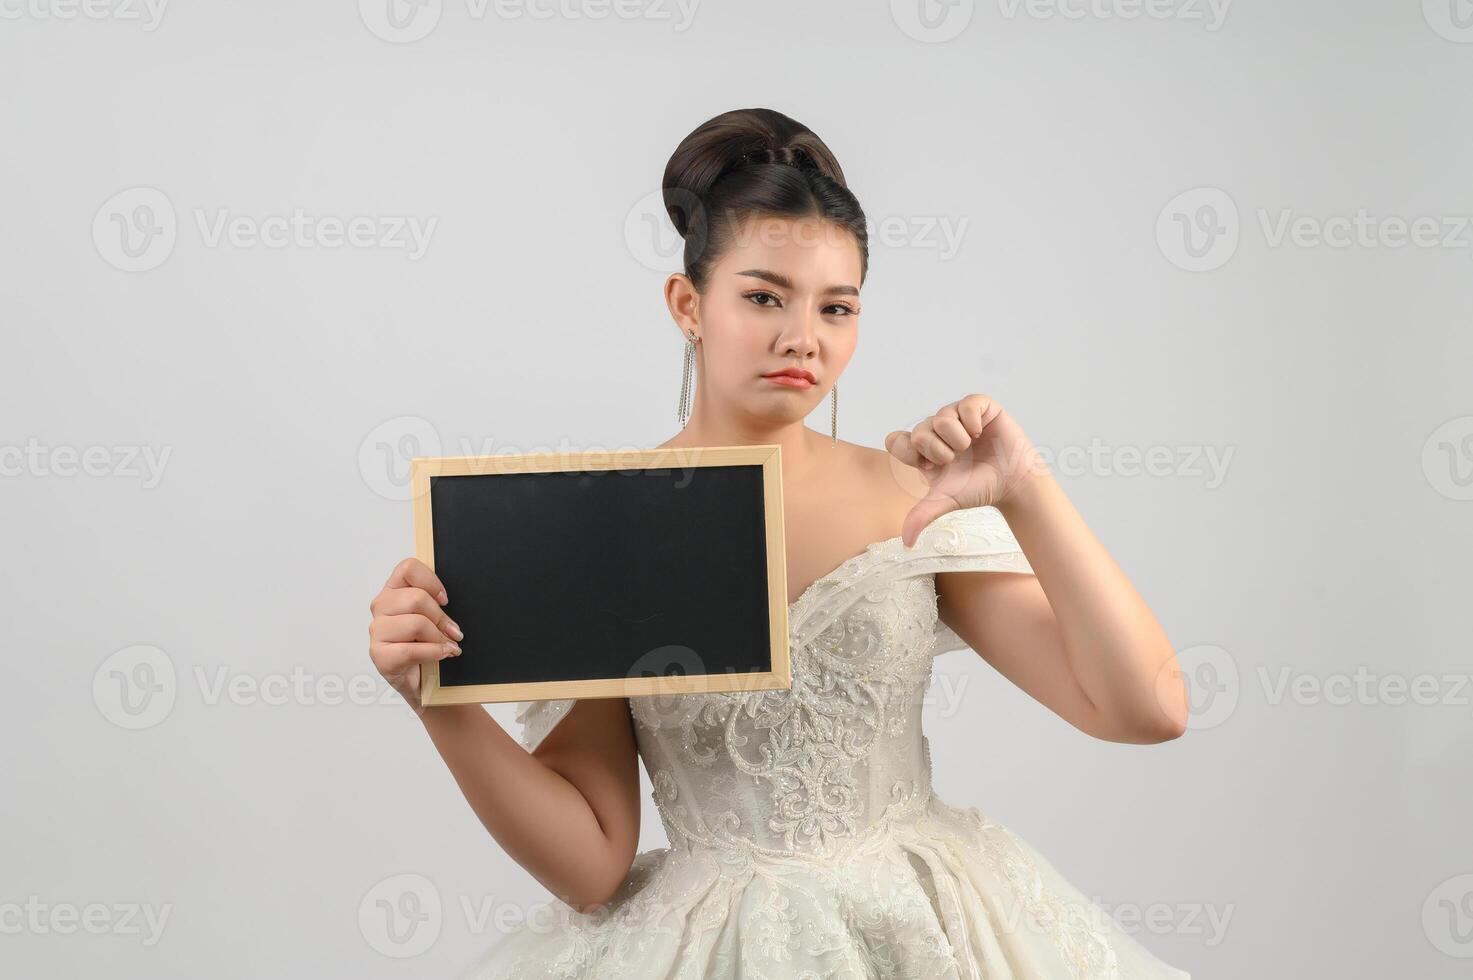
(768, 458)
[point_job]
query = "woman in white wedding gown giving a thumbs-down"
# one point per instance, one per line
(805, 836)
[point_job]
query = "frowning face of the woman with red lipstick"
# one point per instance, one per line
(786, 295)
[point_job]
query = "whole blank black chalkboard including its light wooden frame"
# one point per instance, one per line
(606, 574)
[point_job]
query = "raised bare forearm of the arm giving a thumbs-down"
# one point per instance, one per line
(1117, 651)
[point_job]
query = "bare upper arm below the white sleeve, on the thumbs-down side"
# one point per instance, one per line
(1007, 618)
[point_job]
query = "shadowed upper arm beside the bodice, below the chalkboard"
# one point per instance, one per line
(594, 749)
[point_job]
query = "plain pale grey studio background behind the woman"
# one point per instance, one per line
(1214, 257)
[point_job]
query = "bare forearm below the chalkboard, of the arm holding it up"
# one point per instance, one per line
(535, 814)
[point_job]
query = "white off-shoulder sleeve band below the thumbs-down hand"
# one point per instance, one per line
(968, 540)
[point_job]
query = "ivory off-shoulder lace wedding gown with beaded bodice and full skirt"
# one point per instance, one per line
(805, 839)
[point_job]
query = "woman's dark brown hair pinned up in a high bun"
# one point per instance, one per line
(750, 163)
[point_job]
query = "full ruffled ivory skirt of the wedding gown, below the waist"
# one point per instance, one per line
(948, 894)
